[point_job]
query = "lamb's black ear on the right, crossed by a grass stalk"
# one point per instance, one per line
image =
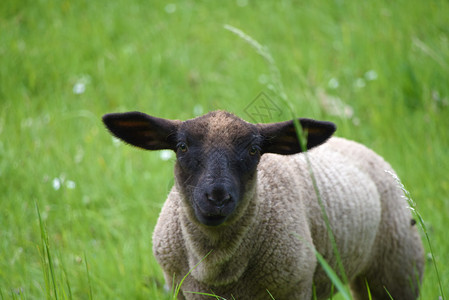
(282, 138)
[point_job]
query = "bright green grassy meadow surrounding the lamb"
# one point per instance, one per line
(387, 61)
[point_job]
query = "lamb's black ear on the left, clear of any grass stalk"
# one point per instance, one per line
(142, 130)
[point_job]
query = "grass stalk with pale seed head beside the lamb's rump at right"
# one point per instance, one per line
(412, 205)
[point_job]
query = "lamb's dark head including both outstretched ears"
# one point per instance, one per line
(217, 154)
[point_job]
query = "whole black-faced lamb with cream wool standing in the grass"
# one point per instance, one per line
(243, 215)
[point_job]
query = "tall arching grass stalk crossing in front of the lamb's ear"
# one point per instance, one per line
(279, 87)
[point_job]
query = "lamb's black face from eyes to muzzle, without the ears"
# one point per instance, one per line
(214, 171)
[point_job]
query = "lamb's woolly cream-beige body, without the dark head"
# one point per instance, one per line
(270, 246)
